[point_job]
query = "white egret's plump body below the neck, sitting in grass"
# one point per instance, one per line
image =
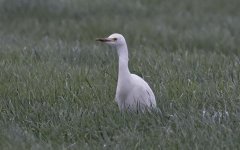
(134, 94)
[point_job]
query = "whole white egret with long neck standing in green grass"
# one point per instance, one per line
(133, 93)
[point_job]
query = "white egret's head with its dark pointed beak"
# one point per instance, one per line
(115, 40)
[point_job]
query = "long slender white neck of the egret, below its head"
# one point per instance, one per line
(123, 71)
